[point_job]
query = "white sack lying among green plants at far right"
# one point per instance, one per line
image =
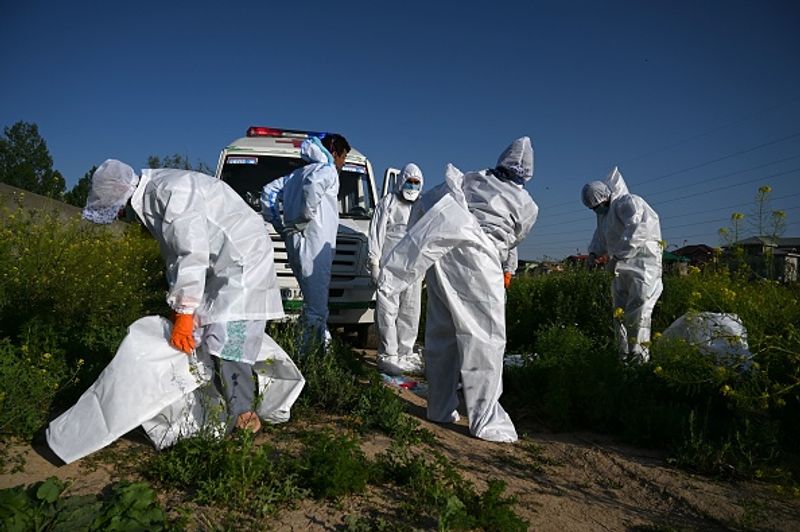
(721, 335)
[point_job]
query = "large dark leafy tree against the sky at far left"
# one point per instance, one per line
(26, 163)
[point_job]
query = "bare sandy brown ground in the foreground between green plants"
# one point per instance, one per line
(573, 481)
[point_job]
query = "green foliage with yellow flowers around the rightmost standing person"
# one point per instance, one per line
(724, 419)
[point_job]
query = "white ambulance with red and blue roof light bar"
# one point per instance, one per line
(265, 154)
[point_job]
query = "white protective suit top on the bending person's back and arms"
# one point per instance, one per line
(220, 263)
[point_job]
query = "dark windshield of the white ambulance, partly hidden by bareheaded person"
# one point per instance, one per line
(247, 175)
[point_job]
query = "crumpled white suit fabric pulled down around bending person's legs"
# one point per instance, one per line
(170, 394)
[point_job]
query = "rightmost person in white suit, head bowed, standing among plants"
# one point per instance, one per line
(628, 230)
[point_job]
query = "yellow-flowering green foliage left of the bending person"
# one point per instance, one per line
(68, 292)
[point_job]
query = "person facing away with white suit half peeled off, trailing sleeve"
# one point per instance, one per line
(461, 232)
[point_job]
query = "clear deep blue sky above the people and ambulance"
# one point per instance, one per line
(697, 102)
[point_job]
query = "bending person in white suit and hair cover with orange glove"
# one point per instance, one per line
(220, 267)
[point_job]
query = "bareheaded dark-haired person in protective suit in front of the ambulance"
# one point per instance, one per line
(309, 223)
